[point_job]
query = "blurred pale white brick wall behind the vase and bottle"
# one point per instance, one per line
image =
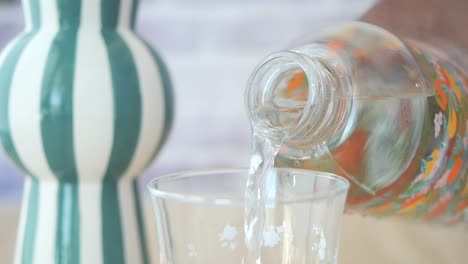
(211, 47)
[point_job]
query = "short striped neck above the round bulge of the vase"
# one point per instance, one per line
(71, 14)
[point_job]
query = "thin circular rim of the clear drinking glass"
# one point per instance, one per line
(342, 187)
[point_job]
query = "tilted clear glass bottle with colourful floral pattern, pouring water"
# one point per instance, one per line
(388, 114)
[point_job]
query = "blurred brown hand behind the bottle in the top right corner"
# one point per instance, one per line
(425, 20)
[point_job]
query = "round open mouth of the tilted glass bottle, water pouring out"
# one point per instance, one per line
(279, 94)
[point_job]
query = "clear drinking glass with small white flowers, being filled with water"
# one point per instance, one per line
(200, 217)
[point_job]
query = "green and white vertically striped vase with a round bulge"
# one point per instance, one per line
(85, 105)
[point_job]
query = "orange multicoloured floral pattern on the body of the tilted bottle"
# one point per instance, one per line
(439, 192)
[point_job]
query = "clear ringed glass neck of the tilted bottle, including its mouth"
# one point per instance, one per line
(298, 100)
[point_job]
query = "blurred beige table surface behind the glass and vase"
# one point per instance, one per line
(364, 241)
